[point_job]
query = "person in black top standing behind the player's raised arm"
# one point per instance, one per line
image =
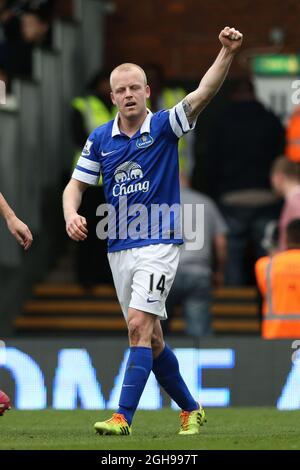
(245, 141)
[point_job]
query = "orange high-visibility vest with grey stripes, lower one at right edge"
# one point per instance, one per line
(278, 279)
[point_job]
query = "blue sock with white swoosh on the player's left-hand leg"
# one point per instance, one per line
(138, 368)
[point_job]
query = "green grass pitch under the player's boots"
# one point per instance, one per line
(233, 428)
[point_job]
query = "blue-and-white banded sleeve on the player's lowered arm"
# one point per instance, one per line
(88, 169)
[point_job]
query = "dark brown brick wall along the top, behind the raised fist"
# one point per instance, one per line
(182, 35)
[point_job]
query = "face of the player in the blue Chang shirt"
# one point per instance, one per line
(129, 93)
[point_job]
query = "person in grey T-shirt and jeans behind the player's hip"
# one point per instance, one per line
(199, 270)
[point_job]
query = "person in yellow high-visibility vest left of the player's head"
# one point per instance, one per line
(88, 112)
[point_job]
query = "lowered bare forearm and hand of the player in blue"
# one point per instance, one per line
(76, 225)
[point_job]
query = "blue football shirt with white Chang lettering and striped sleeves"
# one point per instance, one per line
(140, 178)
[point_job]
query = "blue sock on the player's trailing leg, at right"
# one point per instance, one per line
(166, 370)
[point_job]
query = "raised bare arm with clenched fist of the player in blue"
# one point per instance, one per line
(231, 40)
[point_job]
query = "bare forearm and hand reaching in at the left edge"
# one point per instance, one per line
(17, 228)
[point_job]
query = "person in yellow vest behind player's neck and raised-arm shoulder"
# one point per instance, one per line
(165, 97)
